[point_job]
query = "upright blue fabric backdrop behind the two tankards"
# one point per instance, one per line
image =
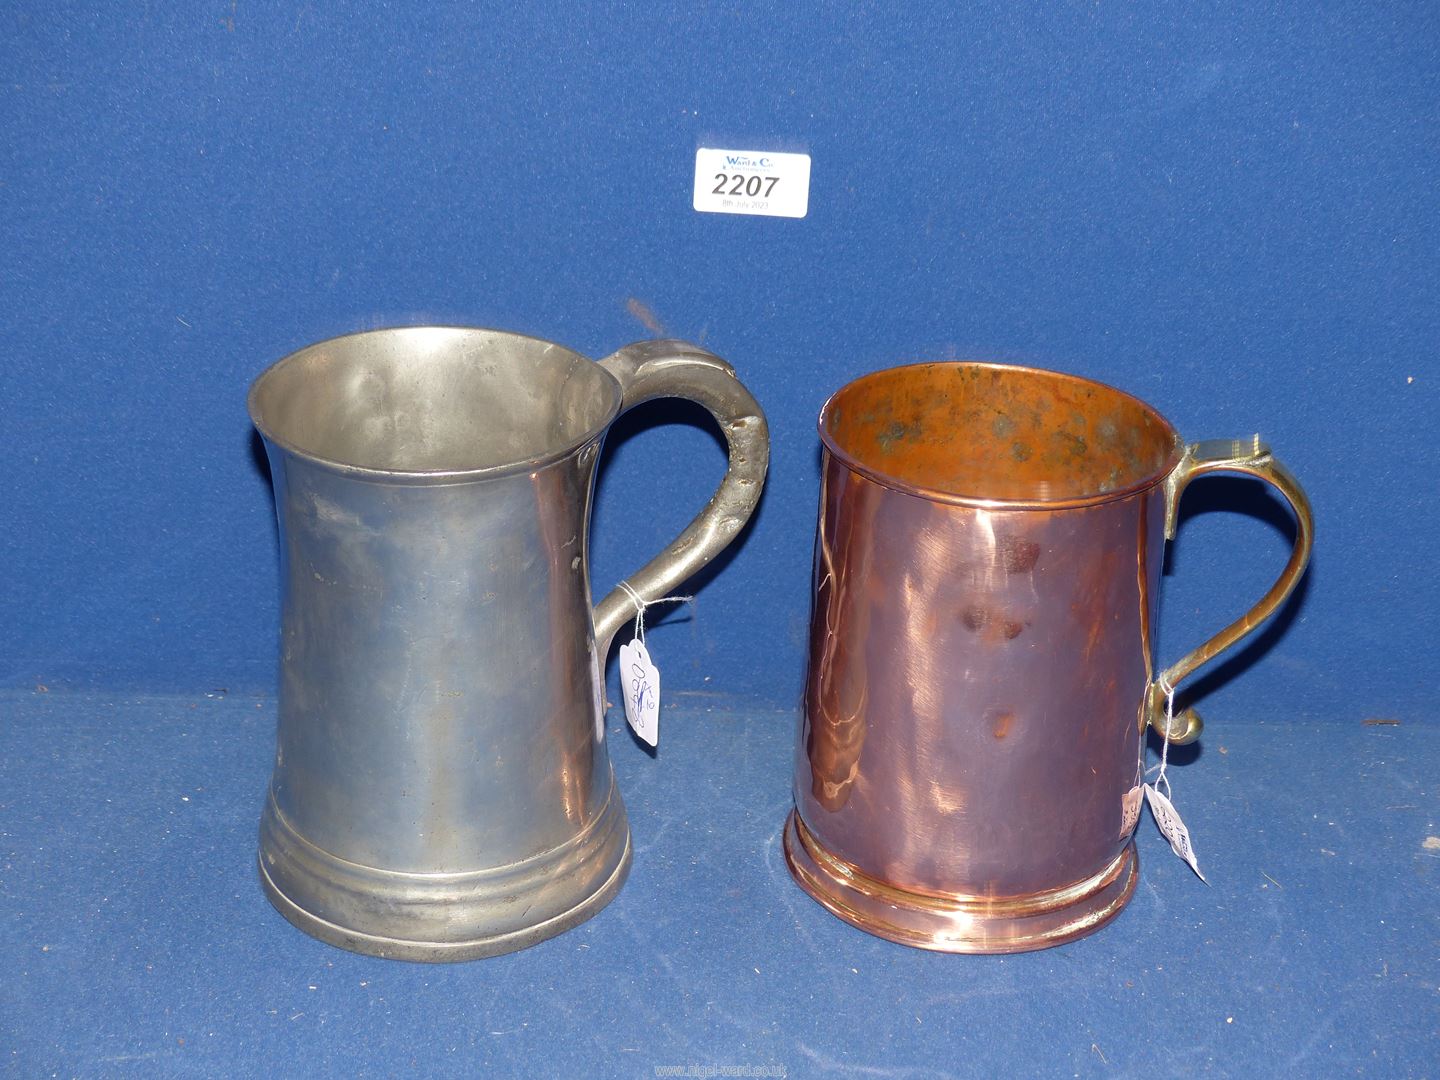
(1229, 211)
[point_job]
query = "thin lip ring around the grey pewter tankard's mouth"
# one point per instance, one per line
(398, 333)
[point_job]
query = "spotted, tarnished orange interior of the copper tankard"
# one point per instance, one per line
(980, 431)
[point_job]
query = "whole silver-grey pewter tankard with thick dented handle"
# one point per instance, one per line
(441, 786)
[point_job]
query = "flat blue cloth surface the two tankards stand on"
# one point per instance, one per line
(136, 941)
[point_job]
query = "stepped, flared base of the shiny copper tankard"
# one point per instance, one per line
(958, 924)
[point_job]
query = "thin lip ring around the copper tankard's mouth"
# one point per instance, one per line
(870, 472)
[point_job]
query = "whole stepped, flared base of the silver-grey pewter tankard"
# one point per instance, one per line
(444, 918)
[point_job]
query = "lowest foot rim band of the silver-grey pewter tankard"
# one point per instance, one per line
(447, 953)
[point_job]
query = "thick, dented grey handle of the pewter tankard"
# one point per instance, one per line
(676, 369)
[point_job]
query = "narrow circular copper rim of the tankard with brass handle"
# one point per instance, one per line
(1043, 496)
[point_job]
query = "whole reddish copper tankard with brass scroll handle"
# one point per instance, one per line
(981, 657)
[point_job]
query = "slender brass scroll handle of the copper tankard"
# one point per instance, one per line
(1255, 460)
